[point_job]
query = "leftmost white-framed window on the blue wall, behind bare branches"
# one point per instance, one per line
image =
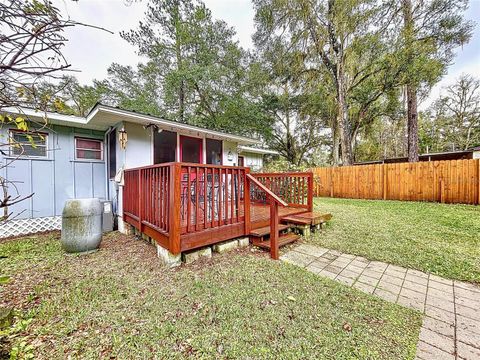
(28, 143)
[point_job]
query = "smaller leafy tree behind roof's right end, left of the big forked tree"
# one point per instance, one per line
(297, 111)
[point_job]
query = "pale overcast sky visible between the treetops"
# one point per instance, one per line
(92, 51)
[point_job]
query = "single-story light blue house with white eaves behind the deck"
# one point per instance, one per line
(82, 157)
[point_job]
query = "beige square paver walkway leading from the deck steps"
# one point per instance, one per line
(451, 325)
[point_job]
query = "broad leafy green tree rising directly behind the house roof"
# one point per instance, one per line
(200, 71)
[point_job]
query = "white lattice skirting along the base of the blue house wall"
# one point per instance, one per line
(30, 226)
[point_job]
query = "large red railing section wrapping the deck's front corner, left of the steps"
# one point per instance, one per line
(185, 206)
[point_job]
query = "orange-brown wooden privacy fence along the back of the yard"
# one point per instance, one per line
(452, 181)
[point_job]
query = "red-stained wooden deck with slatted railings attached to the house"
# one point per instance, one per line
(185, 206)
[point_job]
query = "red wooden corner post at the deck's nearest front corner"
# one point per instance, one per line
(174, 208)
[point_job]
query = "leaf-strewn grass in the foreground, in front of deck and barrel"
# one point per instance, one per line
(118, 302)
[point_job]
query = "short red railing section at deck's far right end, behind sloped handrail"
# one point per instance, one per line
(295, 188)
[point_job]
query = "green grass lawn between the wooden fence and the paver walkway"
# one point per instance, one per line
(439, 238)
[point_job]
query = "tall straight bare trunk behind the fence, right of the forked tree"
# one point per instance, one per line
(412, 115)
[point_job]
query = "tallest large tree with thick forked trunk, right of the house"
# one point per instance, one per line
(342, 39)
